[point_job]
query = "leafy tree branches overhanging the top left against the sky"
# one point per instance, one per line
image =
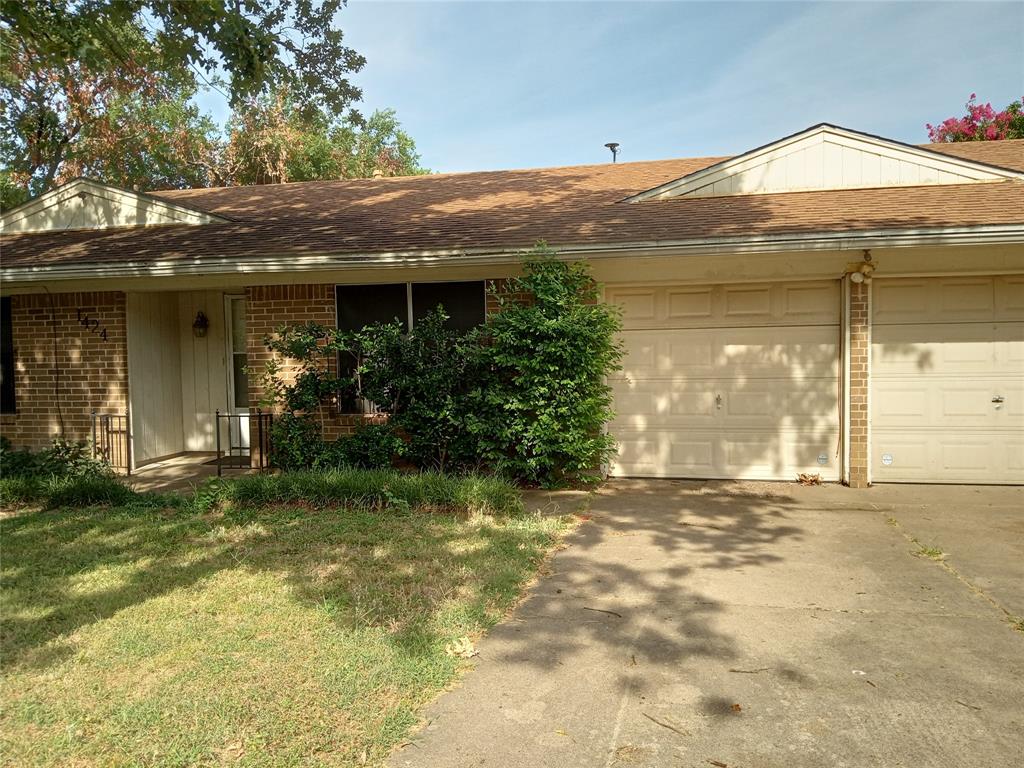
(261, 45)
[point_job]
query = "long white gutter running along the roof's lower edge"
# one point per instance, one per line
(989, 235)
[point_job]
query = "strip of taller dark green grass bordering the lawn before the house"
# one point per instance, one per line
(340, 488)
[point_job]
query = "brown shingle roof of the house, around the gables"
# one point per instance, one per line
(506, 210)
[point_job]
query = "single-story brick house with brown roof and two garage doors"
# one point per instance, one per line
(833, 303)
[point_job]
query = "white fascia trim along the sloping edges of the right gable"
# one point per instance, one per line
(821, 135)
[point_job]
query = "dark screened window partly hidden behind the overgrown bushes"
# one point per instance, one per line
(360, 307)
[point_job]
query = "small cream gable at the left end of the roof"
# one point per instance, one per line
(82, 204)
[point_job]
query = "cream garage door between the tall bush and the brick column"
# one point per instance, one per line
(736, 381)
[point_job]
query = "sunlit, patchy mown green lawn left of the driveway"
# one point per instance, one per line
(271, 637)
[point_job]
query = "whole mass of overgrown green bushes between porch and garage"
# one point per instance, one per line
(526, 396)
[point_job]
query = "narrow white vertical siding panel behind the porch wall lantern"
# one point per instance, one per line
(204, 369)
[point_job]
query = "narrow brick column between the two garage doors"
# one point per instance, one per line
(861, 352)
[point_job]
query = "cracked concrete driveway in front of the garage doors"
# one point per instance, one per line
(754, 625)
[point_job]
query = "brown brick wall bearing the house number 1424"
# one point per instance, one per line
(90, 373)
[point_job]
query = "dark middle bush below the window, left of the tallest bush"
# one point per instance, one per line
(423, 379)
